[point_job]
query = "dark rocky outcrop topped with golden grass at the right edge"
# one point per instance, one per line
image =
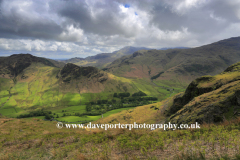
(208, 99)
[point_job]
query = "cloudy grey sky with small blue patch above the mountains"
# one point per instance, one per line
(79, 28)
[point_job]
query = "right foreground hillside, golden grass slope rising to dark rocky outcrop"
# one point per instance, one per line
(207, 99)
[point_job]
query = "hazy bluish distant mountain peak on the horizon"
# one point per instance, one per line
(103, 59)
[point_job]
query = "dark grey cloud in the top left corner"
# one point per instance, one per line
(15, 24)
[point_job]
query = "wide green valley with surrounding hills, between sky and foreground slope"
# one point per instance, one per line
(76, 93)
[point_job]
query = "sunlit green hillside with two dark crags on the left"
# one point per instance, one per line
(30, 83)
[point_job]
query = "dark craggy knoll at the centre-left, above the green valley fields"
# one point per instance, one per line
(80, 80)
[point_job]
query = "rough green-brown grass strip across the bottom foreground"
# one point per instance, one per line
(37, 139)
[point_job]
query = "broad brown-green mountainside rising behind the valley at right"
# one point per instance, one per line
(178, 66)
